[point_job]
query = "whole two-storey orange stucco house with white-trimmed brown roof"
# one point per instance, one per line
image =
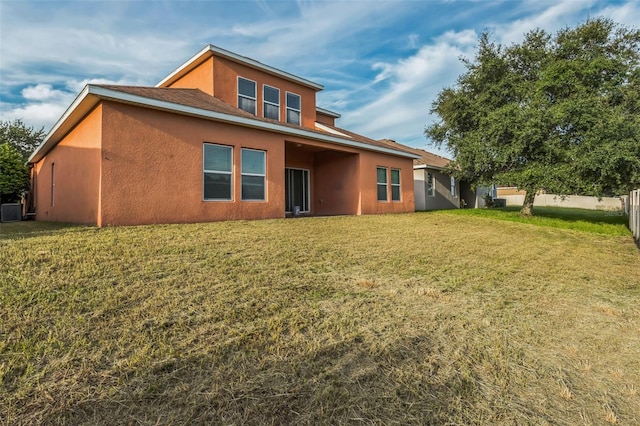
(222, 137)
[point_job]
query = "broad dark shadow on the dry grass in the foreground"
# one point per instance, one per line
(342, 383)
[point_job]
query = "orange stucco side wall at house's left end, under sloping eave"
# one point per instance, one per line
(76, 162)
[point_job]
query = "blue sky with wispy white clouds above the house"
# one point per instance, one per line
(382, 62)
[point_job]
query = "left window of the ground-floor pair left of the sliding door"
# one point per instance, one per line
(217, 170)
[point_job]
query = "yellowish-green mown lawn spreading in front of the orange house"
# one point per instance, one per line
(428, 318)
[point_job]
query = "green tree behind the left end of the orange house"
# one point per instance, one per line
(17, 142)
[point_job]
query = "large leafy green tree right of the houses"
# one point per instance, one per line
(559, 113)
